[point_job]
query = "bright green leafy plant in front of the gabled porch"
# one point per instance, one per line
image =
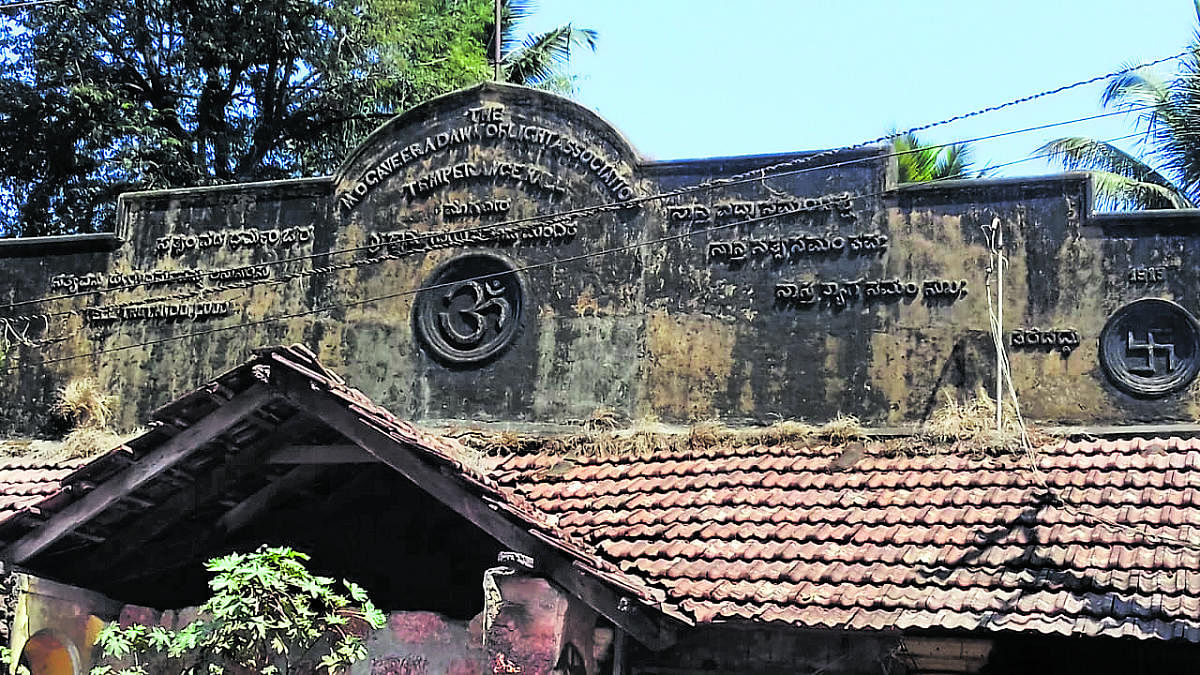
(267, 614)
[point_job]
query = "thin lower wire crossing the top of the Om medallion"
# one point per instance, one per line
(554, 262)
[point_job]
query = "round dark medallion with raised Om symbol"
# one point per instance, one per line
(470, 309)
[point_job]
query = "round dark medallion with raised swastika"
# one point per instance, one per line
(1151, 348)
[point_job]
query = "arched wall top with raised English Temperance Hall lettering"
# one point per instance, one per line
(484, 151)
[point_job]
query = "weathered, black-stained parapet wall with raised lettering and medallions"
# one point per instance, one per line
(502, 254)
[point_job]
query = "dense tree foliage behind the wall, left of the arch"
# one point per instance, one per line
(104, 97)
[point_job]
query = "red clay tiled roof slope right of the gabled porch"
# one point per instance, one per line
(817, 537)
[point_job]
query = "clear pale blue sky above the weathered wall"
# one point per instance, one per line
(686, 79)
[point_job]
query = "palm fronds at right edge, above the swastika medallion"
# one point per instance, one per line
(1167, 176)
